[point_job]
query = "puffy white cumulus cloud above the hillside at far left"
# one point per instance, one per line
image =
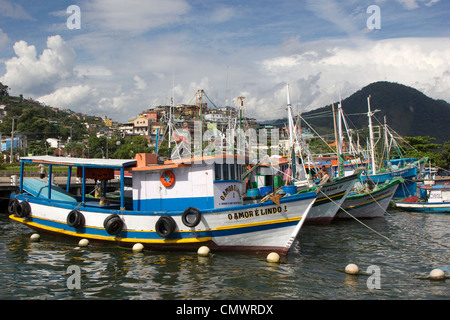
(28, 74)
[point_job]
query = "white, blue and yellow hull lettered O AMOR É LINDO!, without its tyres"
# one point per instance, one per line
(262, 227)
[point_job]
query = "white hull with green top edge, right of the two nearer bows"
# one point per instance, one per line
(368, 203)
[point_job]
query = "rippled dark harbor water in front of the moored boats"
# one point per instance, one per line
(390, 269)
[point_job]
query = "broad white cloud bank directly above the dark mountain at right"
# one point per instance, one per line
(318, 76)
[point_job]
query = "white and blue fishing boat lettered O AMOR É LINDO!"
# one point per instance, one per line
(176, 205)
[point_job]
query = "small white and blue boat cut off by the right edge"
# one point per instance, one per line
(433, 199)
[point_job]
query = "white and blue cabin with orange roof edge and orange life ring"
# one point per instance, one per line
(203, 183)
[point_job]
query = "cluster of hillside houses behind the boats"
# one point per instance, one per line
(151, 122)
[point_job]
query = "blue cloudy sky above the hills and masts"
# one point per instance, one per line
(118, 58)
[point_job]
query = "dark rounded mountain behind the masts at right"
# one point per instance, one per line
(408, 111)
